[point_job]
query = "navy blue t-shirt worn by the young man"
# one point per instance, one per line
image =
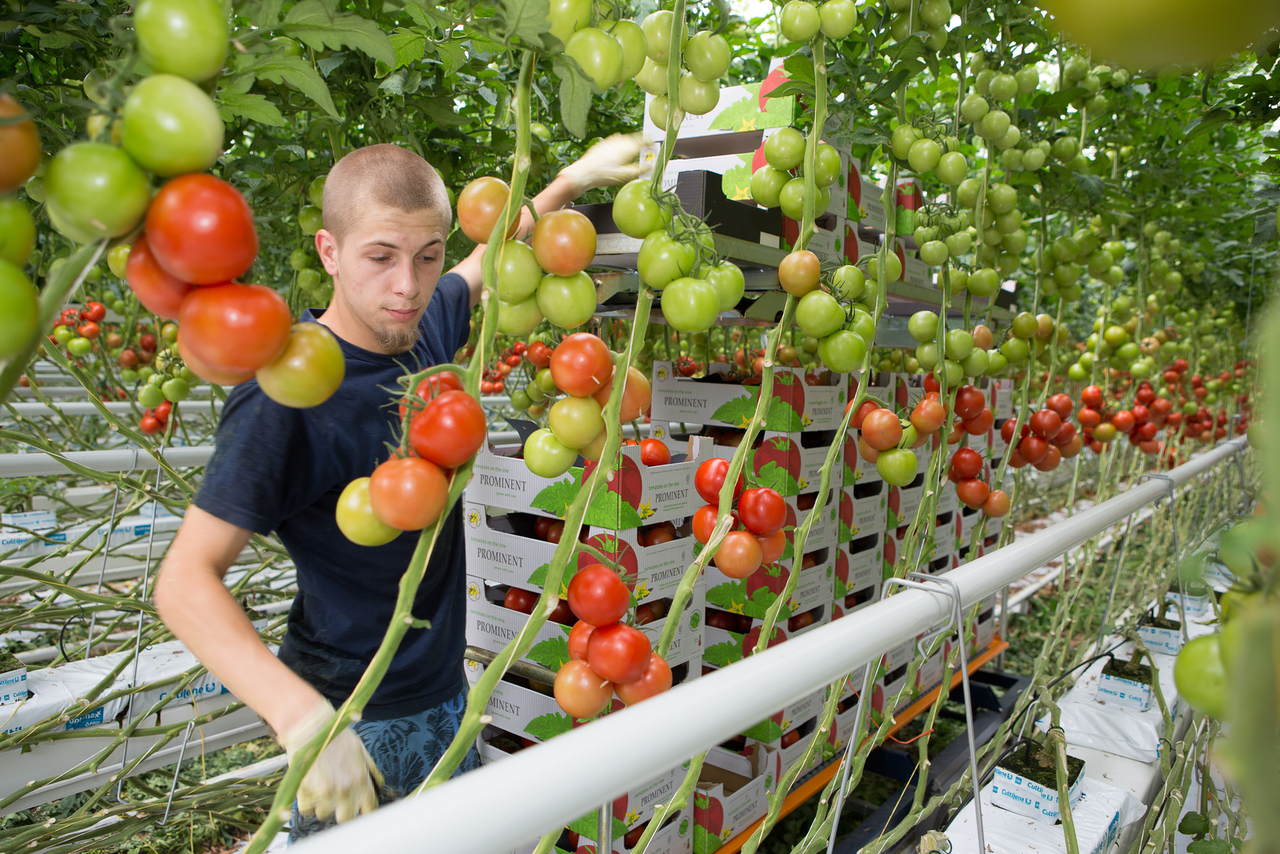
(278, 469)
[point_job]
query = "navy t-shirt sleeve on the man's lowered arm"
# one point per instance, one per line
(264, 467)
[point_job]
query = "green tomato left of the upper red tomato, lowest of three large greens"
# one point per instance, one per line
(95, 191)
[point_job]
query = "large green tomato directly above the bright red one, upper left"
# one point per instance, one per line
(171, 126)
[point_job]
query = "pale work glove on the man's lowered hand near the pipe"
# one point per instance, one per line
(341, 782)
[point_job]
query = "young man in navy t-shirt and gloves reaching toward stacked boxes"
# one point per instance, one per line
(277, 469)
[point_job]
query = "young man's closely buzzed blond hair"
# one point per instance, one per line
(381, 175)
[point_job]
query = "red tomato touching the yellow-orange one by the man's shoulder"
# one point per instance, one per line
(235, 328)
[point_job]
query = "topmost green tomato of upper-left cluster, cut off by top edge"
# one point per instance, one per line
(184, 38)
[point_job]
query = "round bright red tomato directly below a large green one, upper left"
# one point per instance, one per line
(202, 230)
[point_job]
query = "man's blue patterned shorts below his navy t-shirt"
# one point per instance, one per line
(405, 750)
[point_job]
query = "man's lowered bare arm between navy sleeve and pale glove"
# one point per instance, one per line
(200, 610)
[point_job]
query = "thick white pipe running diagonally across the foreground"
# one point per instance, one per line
(547, 787)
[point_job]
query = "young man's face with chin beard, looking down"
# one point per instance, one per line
(385, 272)
